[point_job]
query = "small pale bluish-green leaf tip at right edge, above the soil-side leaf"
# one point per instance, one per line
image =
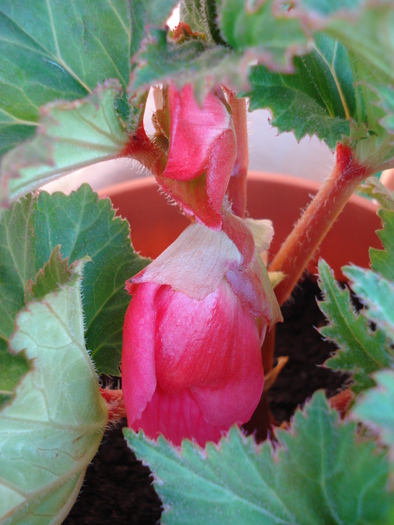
(377, 294)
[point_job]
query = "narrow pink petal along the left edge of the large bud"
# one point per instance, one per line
(138, 353)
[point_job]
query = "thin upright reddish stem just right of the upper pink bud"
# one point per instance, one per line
(237, 185)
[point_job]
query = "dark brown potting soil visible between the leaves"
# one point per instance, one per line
(117, 489)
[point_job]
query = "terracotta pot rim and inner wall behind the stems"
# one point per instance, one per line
(155, 224)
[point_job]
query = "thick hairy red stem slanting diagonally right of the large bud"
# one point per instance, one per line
(302, 243)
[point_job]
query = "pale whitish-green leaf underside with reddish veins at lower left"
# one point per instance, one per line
(52, 429)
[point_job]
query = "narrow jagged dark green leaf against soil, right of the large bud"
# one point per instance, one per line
(361, 351)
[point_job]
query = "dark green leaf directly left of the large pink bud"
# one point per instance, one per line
(85, 225)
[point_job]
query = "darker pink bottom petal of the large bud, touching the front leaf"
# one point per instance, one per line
(176, 416)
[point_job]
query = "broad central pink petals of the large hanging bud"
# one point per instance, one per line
(212, 347)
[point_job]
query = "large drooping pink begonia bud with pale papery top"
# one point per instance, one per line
(191, 360)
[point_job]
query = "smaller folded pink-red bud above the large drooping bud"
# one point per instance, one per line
(201, 156)
